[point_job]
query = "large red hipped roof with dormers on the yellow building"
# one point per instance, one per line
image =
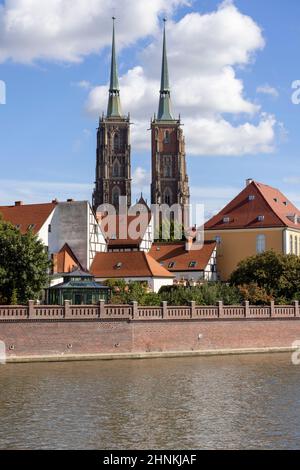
(257, 206)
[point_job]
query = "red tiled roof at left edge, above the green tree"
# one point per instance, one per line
(26, 216)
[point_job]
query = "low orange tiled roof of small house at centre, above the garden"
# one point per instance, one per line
(121, 265)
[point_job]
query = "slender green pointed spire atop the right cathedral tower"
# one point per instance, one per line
(165, 108)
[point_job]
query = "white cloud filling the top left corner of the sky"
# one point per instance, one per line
(68, 30)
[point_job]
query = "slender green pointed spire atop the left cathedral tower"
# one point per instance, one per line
(114, 104)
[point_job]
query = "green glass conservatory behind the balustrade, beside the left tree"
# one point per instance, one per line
(80, 288)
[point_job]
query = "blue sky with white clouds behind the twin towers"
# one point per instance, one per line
(231, 65)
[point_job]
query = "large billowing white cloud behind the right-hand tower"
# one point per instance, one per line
(204, 51)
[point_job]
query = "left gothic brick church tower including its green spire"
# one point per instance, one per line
(113, 167)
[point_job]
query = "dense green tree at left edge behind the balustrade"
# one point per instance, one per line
(24, 265)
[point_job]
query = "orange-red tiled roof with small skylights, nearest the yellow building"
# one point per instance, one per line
(166, 253)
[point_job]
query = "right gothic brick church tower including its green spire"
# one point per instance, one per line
(170, 184)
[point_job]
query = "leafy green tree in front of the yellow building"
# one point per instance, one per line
(278, 275)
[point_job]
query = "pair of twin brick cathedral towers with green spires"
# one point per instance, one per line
(170, 184)
